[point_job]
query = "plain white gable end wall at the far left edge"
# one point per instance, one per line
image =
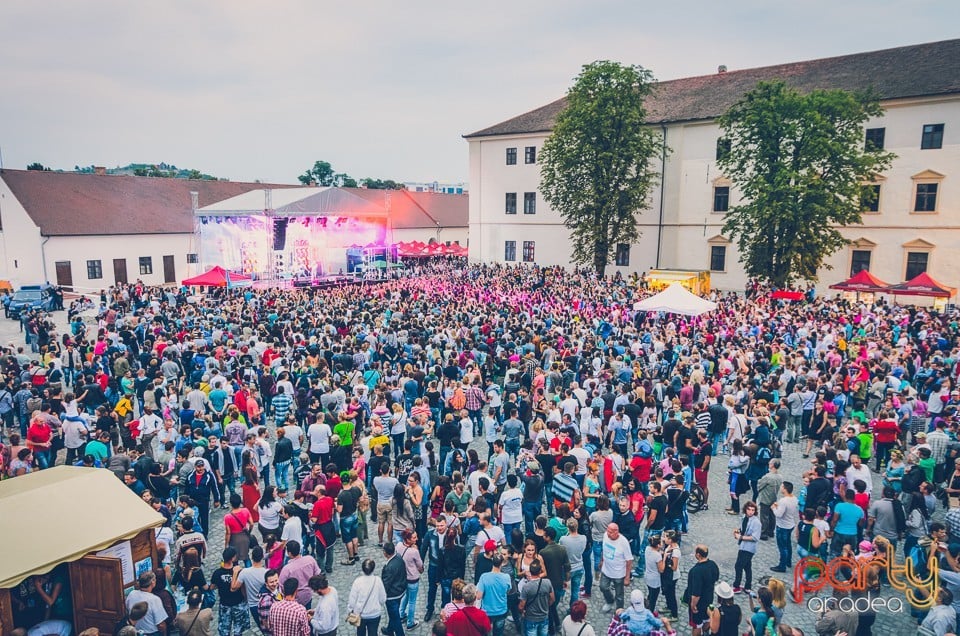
(20, 242)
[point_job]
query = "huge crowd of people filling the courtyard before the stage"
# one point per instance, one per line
(508, 437)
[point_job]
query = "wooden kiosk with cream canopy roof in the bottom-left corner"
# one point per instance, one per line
(86, 518)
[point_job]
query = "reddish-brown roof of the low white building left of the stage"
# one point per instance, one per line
(72, 204)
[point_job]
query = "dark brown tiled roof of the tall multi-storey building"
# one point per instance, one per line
(909, 71)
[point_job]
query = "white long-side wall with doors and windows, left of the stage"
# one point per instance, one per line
(77, 250)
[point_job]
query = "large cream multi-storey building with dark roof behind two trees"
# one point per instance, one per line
(914, 228)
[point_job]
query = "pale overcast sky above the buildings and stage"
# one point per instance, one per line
(260, 90)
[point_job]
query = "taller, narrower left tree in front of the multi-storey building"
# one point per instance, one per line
(596, 165)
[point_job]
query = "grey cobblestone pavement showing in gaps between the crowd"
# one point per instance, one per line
(712, 527)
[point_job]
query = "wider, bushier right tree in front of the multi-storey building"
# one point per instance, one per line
(799, 162)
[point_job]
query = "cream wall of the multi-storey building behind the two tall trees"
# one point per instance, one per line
(690, 227)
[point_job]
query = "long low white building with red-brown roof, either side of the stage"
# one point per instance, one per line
(89, 231)
